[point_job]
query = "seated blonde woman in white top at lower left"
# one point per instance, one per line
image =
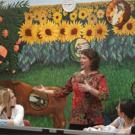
(11, 114)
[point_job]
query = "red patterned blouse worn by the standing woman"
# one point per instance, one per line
(86, 108)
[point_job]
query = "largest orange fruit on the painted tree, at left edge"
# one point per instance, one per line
(3, 53)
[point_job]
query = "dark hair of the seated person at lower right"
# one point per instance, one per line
(128, 107)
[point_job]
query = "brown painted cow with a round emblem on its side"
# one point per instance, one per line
(38, 103)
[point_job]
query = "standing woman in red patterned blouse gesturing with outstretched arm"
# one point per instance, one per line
(89, 89)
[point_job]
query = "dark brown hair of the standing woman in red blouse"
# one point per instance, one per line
(92, 55)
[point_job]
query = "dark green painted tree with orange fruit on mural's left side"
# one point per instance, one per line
(11, 18)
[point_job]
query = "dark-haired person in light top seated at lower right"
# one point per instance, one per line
(124, 121)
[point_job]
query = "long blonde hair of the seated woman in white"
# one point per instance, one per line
(5, 96)
